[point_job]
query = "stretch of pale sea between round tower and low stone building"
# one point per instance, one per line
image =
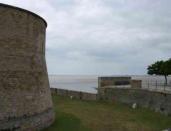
(75, 83)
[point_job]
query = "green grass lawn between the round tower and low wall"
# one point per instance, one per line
(76, 115)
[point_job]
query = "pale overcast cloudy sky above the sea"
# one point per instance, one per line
(103, 37)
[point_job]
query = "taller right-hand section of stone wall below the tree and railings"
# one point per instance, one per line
(157, 101)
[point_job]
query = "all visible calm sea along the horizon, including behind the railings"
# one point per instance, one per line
(89, 84)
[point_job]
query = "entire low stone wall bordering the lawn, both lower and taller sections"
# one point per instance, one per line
(157, 101)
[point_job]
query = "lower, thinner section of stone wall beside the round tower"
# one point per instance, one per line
(74, 94)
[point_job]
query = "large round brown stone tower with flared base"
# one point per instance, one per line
(25, 98)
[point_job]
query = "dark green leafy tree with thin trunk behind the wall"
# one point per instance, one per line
(160, 68)
